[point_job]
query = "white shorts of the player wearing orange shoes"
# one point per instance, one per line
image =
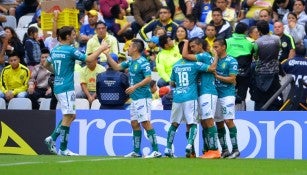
(207, 106)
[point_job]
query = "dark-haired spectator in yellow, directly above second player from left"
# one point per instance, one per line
(121, 22)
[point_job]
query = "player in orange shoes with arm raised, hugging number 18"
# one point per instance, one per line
(207, 95)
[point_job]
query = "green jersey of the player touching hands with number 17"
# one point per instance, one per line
(138, 70)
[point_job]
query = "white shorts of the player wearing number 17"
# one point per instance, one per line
(67, 102)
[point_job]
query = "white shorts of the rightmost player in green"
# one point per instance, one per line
(225, 108)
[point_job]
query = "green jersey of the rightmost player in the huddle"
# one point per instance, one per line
(225, 67)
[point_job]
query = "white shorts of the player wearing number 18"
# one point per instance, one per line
(186, 111)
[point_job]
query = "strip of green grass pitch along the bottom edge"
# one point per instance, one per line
(49, 165)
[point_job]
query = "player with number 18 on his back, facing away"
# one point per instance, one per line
(184, 80)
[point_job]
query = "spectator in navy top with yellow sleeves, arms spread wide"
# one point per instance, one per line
(164, 21)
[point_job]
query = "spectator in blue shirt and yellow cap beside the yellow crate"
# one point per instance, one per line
(88, 30)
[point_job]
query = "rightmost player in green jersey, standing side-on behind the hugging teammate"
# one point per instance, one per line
(225, 75)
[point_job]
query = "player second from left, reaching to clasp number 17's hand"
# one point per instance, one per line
(139, 91)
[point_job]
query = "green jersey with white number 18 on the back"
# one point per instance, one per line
(184, 75)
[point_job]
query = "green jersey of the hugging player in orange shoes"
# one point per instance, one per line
(207, 79)
